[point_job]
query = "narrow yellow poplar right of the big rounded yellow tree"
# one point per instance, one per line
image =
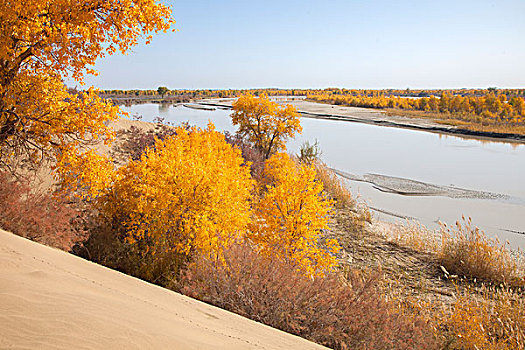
(290, 216)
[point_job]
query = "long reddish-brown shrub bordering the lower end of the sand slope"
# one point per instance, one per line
(342, 313)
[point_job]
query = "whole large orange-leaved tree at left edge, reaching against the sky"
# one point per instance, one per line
(44, 41)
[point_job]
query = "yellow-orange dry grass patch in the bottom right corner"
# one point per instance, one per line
(488, 318)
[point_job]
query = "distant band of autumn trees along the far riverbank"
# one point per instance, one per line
(489, 109)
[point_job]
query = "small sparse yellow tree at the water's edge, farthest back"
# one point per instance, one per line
(265, 123)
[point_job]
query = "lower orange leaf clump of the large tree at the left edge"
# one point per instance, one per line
(41, 116)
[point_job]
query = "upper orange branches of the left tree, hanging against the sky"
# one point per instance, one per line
(65, 37)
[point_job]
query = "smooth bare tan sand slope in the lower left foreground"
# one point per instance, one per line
(51, 299)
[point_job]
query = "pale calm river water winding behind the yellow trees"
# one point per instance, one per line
(496, 168)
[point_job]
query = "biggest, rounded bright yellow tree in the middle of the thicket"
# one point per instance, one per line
(191, 191)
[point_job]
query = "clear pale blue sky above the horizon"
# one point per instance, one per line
(333, 43)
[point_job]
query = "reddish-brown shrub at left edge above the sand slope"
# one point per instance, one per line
(37, 216)
